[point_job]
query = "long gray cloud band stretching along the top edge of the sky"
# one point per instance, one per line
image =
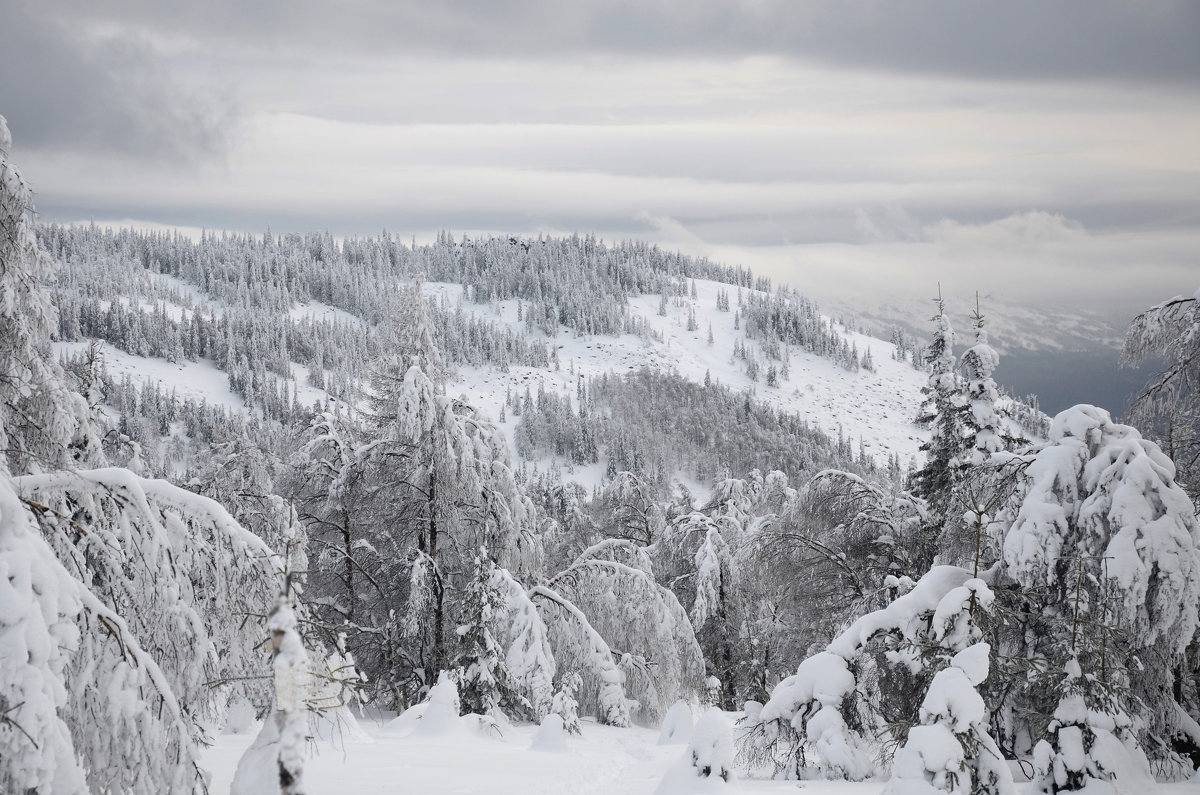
(1135, 40)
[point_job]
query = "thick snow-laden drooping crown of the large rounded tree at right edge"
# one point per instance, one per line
(1100, 492)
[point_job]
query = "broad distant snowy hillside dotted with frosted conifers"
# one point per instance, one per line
(221, 325)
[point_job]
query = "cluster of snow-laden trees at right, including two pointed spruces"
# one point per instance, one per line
(1043, 596)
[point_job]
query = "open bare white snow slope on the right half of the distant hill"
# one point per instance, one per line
(877, 407)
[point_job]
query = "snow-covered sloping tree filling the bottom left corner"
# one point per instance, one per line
(83, 704)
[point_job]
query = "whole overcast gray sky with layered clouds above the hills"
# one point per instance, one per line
(1029, 150)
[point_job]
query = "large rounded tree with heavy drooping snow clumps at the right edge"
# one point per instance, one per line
(1100, 528)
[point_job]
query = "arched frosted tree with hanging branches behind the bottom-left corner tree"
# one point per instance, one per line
(173, 564)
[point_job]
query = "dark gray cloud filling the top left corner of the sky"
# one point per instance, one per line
(62, 91)
